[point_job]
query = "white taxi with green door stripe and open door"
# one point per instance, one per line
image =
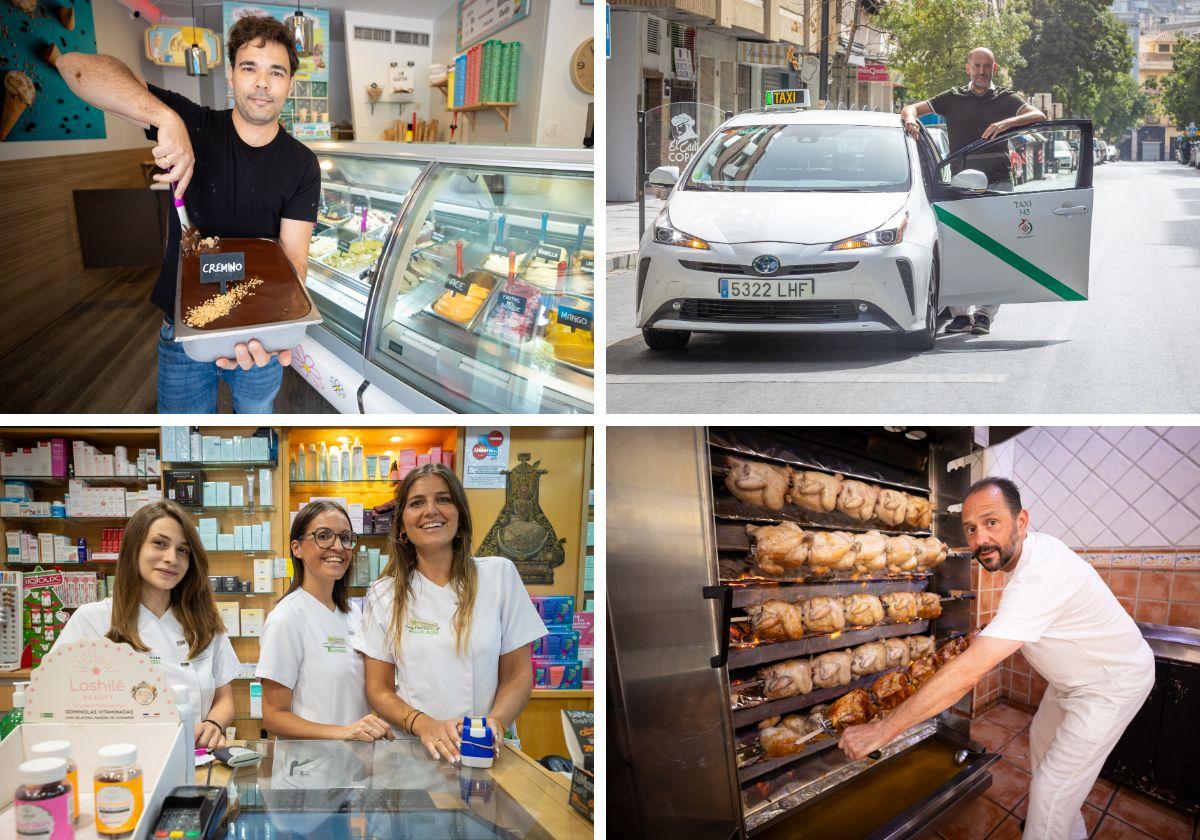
(836, 221)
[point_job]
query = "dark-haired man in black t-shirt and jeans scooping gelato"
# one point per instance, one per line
(239, 176)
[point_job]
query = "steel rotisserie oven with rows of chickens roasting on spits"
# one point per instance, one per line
(788, 584)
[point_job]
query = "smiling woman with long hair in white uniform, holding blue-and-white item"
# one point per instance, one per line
(446, 635)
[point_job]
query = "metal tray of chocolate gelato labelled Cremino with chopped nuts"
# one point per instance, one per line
(271, 303)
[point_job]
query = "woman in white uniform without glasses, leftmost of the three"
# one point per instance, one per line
(163, 605)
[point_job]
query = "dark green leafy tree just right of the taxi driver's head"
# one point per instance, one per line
(1076, 50)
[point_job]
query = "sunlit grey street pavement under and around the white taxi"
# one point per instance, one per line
(1133, 347)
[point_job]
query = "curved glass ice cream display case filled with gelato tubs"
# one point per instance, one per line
(454, 279)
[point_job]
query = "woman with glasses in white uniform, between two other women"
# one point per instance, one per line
(313, 676)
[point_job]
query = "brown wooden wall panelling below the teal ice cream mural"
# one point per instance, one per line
(43, 274)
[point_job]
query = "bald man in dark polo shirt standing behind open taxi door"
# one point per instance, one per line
(977, 110)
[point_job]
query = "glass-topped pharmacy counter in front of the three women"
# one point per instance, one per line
(392, 790)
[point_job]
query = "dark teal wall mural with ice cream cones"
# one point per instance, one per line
(28, 32)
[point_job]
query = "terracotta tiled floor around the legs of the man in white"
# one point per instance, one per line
(1112, 813)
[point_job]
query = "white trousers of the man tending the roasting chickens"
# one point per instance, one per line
(1070, 739)
